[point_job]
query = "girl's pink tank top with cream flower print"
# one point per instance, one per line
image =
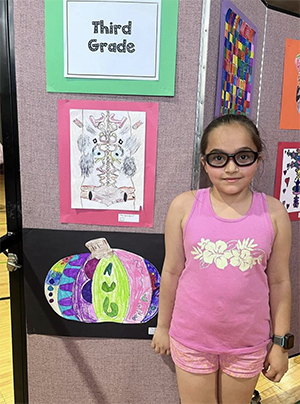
(222, 299)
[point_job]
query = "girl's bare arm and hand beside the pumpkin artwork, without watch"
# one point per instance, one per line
(172, 269)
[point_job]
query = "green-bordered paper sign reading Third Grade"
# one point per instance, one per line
(111, 47)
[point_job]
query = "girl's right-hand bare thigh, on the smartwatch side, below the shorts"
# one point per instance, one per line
(234, 390)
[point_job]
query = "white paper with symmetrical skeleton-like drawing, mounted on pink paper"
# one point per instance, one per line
(107, 159)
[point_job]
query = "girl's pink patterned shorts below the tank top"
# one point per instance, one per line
(241, 366)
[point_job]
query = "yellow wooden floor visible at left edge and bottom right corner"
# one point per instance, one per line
(285, 392)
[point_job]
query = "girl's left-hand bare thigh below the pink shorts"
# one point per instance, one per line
(197, 388)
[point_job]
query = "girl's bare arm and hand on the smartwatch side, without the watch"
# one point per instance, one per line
(276, 363)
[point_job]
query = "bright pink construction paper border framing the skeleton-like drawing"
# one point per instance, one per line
(106, 217)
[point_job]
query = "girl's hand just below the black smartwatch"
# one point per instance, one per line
(276, 363)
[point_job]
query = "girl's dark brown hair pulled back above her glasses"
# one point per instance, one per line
(228, 120)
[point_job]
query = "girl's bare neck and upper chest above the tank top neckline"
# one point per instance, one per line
(231, 206)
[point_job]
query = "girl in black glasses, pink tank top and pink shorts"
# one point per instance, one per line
(226, 275)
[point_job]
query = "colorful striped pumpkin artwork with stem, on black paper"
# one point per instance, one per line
(105, 285)
